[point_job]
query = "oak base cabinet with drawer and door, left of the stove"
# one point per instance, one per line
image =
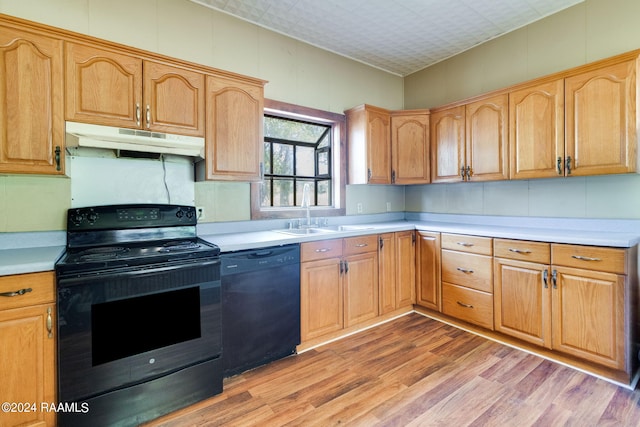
(28, 347)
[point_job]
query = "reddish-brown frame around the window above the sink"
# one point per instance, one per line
(338, 162)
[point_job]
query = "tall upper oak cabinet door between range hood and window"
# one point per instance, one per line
(234, 137)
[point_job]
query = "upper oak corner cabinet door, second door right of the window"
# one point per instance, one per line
(410, 148)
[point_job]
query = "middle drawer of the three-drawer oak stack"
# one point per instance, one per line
(470, 270)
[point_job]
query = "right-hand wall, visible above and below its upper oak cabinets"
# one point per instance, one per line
(584, 33)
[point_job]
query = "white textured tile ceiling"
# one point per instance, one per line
(398, 36)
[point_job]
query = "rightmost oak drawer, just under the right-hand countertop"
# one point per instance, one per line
(609, 260)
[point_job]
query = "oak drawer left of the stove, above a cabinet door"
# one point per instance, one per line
(41, 285)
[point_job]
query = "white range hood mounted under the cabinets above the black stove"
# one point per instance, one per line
(121, 139)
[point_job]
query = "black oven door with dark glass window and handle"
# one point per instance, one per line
(124, 327)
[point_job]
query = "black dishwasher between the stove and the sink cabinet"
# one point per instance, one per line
(260, 306)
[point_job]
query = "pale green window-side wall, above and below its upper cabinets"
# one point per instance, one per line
(297, 73)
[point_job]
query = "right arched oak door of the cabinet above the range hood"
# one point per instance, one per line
(173, 99)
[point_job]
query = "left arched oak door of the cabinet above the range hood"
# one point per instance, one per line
(103, 87)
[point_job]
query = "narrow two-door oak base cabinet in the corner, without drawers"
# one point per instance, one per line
(396, 270)
